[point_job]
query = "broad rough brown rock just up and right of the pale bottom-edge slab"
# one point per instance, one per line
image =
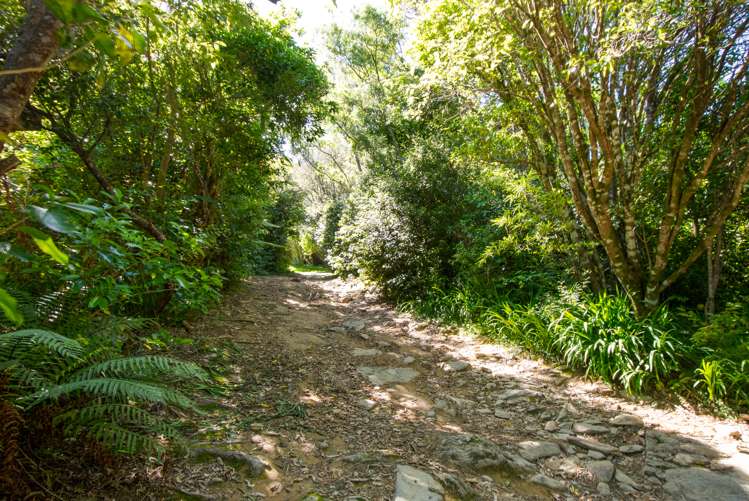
(470, 451)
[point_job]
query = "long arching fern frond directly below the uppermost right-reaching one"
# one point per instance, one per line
(114, 389)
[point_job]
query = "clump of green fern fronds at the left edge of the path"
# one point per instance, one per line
(96, 393)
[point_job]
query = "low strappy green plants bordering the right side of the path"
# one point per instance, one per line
(599, 336)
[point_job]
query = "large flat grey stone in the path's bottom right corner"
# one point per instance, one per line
(698, 484)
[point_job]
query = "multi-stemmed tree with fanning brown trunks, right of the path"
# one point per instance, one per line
(641, 100)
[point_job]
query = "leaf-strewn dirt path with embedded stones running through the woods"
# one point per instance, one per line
(339, 395)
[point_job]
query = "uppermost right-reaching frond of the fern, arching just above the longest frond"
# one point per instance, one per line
(142, 367)
